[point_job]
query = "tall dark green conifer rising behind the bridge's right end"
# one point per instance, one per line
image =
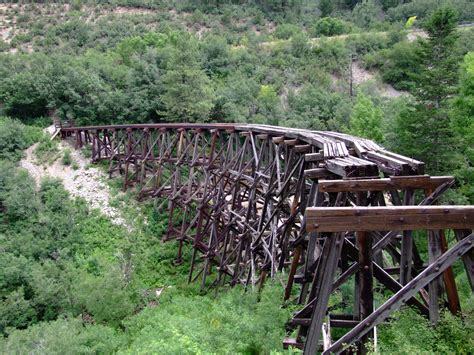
(424, 128)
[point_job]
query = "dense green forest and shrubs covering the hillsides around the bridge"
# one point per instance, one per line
(72, 281)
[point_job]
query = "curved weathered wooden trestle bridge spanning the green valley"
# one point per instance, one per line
(326, 208)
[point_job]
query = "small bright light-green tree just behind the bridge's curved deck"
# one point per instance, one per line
(366, 119)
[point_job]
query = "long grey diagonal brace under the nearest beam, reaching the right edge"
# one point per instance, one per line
(408, 291)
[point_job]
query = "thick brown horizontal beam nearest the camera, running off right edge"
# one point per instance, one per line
(340, 219)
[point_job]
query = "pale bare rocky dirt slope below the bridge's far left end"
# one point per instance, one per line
(85, 182)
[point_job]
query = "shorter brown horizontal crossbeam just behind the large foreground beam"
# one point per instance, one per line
(423, 182)
